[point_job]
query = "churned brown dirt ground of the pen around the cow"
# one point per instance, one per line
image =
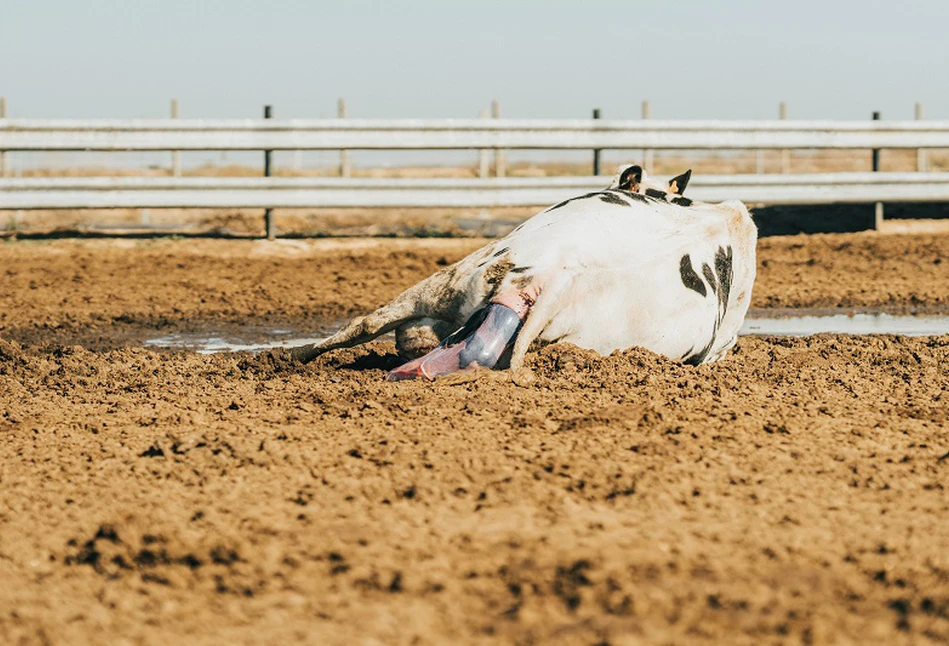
(794, 492)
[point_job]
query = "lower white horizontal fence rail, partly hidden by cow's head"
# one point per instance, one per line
(282, 192)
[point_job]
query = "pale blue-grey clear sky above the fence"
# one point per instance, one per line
(727, 59)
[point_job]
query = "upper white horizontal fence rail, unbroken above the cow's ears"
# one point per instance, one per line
(445, 134)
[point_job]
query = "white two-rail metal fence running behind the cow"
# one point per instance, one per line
(455, 134)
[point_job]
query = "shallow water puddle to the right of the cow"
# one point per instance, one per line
(799, 323)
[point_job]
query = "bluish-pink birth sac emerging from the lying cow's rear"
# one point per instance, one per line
(479, 343)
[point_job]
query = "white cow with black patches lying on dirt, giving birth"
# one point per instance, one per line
(635, 264)
